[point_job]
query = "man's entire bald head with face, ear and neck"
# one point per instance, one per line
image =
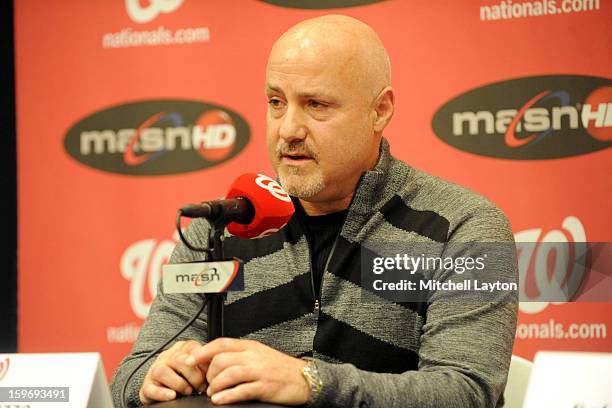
(329, 100)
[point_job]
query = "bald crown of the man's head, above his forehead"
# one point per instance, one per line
(344, 43)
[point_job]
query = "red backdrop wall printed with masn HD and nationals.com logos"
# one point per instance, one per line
(94, 227)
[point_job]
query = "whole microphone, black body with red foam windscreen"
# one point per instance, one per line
(256, 204)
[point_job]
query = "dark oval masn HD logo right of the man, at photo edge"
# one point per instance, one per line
(531, 118)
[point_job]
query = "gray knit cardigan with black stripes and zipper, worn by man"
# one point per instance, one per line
(379, 354)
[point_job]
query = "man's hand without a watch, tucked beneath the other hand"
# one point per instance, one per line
(174, 371)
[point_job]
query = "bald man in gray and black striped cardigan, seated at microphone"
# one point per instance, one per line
(300, 333)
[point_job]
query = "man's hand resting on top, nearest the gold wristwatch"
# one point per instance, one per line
(243, 370)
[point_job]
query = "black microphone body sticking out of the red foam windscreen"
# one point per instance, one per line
(239, 210)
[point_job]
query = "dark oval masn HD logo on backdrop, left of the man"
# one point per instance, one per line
(157, 137)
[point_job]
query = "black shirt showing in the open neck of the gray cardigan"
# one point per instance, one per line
(321, 233)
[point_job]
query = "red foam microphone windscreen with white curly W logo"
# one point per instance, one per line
(273, 206)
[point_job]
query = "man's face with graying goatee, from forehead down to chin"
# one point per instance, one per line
(319, 125)
